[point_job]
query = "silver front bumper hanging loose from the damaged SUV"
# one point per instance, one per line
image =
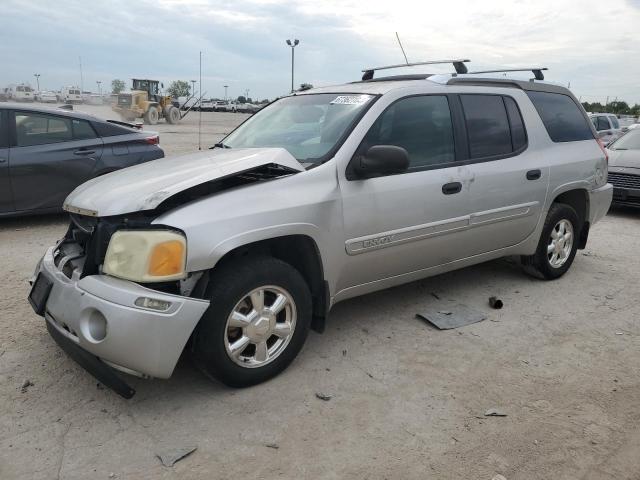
(98, 314)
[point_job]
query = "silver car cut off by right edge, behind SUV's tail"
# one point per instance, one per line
(624, 168)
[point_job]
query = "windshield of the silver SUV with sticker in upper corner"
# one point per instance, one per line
(307, 126)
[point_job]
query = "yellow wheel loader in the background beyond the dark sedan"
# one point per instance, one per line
(146, 101)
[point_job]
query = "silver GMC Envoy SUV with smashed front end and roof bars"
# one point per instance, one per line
(236, 252)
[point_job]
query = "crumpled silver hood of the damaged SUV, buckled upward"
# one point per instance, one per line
(145, 186)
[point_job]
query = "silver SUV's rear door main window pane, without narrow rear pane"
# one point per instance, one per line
(487, 125)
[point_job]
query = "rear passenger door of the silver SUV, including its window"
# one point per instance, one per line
(508, 181)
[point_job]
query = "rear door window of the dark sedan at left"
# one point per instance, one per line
(40, 129)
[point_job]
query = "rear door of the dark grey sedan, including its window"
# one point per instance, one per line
(51, 155)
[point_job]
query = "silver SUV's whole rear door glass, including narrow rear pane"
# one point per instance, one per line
(494, 125)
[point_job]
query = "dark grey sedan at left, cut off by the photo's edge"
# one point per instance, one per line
(46, 152)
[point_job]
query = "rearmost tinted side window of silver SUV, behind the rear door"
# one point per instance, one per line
(561, 116)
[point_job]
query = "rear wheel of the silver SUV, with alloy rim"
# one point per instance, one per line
(549, 265)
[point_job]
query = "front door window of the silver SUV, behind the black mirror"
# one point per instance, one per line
(421, 125)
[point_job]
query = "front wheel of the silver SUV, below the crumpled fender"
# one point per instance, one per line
(260, 354)
